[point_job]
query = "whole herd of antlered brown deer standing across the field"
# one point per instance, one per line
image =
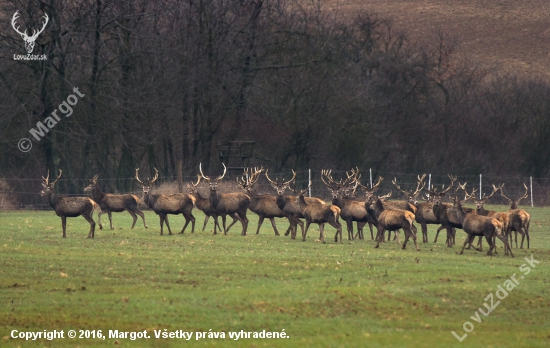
(425, 206)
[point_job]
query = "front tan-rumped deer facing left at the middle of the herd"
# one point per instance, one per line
(319, 214)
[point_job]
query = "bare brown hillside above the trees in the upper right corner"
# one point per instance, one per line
(513, 35)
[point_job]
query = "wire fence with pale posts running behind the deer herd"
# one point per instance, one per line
(24, 194)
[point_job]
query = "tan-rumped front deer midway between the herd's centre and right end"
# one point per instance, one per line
(390, 220)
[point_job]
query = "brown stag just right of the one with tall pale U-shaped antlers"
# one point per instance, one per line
(263, 205)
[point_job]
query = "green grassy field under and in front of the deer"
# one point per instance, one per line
(330, 295)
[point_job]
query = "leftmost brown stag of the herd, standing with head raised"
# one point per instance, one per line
(65, 207)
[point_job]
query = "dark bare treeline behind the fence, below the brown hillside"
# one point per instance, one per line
(166, 81)
